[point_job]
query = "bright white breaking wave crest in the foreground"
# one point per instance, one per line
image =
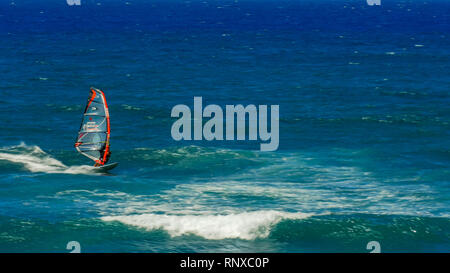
(245, 225)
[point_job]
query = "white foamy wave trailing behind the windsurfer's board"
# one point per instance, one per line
(35, 160)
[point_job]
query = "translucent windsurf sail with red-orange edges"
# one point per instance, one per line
(94, 133)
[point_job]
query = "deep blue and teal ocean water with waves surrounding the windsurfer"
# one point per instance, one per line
(364, 149)
